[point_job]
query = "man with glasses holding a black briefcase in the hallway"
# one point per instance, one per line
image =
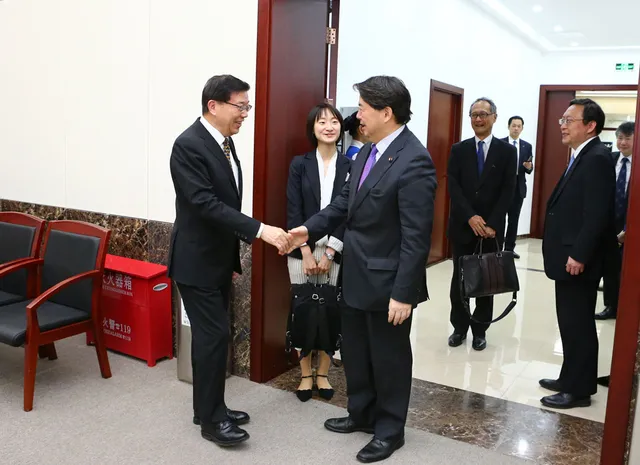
(482, 177)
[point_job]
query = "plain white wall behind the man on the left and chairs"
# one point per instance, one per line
(94, 93)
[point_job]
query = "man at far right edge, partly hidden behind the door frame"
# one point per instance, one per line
(613, 263)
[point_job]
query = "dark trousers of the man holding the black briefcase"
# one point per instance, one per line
(484, 305)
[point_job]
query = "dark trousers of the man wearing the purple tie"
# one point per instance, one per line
(378, 363)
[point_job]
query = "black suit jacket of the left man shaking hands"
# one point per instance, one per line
(205, 247)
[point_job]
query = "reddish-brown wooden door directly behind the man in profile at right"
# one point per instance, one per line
(552, 155)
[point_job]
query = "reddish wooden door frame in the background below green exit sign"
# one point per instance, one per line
(538, 202)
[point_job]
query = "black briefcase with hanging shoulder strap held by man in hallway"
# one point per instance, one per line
(488, 274)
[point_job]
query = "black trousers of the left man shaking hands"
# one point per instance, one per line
(207, 312)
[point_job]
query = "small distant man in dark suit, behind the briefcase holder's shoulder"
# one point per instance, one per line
(524, 166)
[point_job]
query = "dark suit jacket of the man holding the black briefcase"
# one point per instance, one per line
(488, 195)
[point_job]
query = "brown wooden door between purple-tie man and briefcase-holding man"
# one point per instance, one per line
(445, 125)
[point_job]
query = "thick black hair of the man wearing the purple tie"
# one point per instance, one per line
(381, 92)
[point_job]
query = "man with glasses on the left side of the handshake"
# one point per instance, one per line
(205, 248)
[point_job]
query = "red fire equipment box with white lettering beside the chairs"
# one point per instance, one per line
(136, 309)
